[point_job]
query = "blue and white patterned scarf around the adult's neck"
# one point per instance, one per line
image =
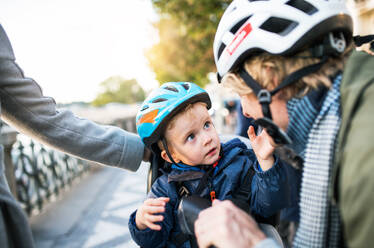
(319, 220)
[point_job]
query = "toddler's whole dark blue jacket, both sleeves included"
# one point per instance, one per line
(270, 191)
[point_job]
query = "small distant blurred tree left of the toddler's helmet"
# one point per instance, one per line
(118, 89)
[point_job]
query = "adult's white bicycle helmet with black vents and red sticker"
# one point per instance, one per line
(277, 27)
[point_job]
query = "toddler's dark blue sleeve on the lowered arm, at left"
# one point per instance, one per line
(151, 238)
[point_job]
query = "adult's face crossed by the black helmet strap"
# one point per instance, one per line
(252, 108)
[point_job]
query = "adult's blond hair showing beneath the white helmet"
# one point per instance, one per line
(269, 70)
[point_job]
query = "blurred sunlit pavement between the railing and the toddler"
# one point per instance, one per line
(94, 213)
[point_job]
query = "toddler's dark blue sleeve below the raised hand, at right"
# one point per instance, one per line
(270, 189)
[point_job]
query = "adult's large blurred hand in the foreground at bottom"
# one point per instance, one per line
(225, 225)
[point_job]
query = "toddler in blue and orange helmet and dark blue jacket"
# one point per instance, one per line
(174, 122)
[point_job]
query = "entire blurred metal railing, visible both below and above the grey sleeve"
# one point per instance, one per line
(36, 174)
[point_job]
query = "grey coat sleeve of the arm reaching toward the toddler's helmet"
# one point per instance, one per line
(26, 109)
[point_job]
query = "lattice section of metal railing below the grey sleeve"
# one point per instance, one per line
(41, 174)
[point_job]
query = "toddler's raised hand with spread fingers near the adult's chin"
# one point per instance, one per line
(263, 146)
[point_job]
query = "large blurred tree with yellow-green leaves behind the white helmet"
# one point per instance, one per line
(186, 32)
